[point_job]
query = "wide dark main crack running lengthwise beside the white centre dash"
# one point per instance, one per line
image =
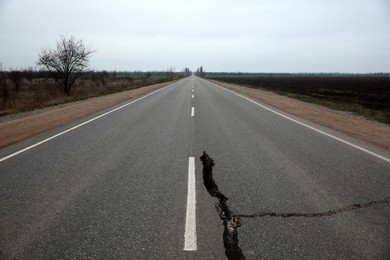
(231, 222)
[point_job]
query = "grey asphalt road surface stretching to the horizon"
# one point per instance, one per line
(117, 186)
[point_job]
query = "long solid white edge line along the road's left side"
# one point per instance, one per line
(77, 126)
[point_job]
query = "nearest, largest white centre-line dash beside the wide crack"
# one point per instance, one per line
(190, 228)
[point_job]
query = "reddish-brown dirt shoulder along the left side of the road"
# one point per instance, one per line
(18, 127)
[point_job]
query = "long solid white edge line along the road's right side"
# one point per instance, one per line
(310, 127)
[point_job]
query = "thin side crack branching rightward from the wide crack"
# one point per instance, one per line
(318, 214)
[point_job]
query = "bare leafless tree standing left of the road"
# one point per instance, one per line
(67, 62)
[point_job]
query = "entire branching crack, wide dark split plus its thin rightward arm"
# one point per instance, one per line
(232, 222)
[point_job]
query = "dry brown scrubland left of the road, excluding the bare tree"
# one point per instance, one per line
(29, 89)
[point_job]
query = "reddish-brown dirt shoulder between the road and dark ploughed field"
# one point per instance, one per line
(347, 123)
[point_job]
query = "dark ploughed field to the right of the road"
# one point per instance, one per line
(367, 95)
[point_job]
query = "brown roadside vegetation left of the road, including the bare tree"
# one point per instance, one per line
(62, 76)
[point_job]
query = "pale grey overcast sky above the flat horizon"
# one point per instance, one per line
(221, 35)
